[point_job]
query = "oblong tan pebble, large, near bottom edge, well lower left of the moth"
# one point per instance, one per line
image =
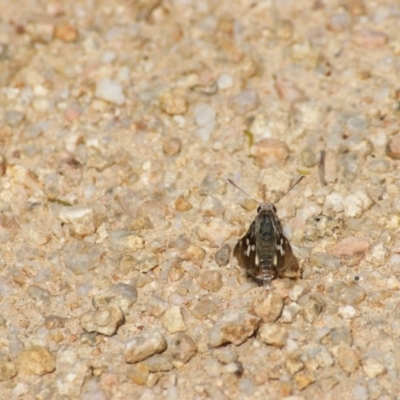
(143, 346)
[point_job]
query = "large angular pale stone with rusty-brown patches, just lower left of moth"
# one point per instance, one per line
(233, 327)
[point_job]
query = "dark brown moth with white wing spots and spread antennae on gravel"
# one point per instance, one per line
(264, 252)
